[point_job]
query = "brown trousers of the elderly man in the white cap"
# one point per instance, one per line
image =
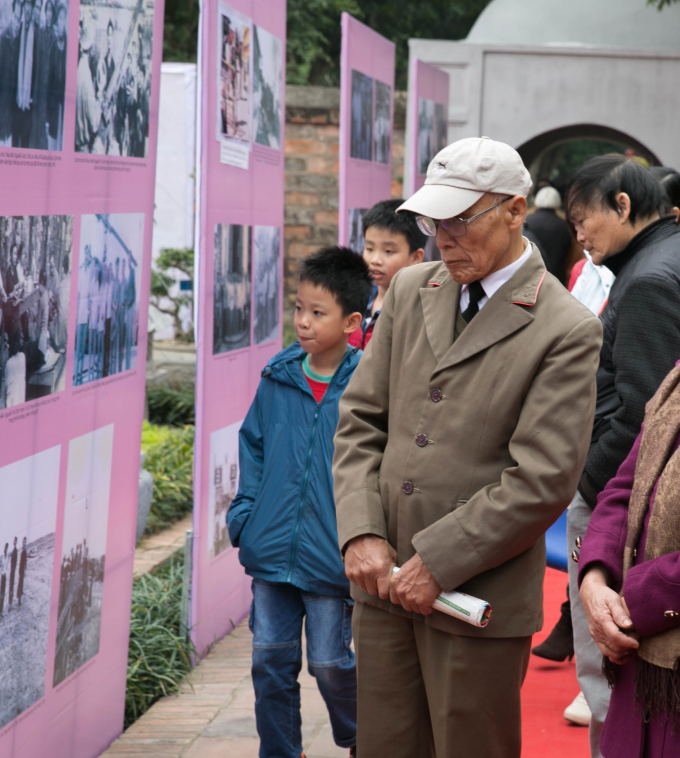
(423, 693)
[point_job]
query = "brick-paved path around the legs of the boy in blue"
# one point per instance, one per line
(213, 716)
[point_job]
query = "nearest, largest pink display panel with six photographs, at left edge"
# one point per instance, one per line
(79, 89)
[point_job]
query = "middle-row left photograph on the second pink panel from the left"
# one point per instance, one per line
(233, 250)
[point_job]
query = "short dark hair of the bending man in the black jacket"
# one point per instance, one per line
(601, 179)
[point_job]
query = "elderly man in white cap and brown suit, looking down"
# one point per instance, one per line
(461, 439)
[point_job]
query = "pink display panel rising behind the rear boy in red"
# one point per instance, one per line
(366, 115)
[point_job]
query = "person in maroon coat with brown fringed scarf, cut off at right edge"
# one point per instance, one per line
(630, 586)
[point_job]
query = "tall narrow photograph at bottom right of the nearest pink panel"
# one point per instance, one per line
(83, 551)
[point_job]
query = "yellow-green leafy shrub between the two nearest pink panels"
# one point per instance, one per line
(170, 460)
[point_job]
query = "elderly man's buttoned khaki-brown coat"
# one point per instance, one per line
(504, 448)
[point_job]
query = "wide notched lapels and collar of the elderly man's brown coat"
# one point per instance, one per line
(505, 313)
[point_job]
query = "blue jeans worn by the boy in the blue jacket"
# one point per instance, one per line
(276, 622)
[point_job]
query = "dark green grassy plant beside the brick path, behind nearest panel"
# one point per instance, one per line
(159, 658)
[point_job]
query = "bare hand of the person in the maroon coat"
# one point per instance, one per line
(607, 615)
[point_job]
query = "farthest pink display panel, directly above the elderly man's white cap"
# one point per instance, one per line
(427, 119)
